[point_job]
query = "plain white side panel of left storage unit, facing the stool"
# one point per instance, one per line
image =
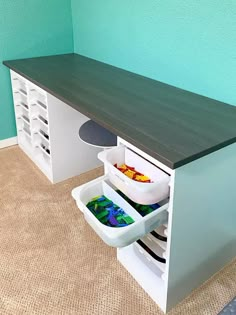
(70, 156)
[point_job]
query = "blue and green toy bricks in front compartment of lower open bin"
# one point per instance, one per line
(109, 213)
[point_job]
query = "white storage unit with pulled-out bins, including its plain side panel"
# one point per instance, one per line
(157, 252)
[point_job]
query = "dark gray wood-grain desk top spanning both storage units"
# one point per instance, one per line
(172, 125)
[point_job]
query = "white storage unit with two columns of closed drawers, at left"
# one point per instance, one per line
(47, 132)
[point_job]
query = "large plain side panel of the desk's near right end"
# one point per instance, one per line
(203, 233)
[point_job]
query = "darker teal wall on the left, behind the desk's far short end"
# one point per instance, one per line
(29, 28)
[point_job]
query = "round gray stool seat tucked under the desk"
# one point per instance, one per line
(94, 134)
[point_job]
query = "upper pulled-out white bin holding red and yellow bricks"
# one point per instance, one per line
(142, 193)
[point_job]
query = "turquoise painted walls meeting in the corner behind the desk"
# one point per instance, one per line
(189, 44)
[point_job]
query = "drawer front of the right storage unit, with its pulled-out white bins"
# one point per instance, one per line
(150, 230)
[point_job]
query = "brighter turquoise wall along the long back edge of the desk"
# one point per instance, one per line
(189, 44)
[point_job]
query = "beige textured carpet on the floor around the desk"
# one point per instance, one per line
(51, 262)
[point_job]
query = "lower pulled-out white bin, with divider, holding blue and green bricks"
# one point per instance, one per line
(114, 236)
